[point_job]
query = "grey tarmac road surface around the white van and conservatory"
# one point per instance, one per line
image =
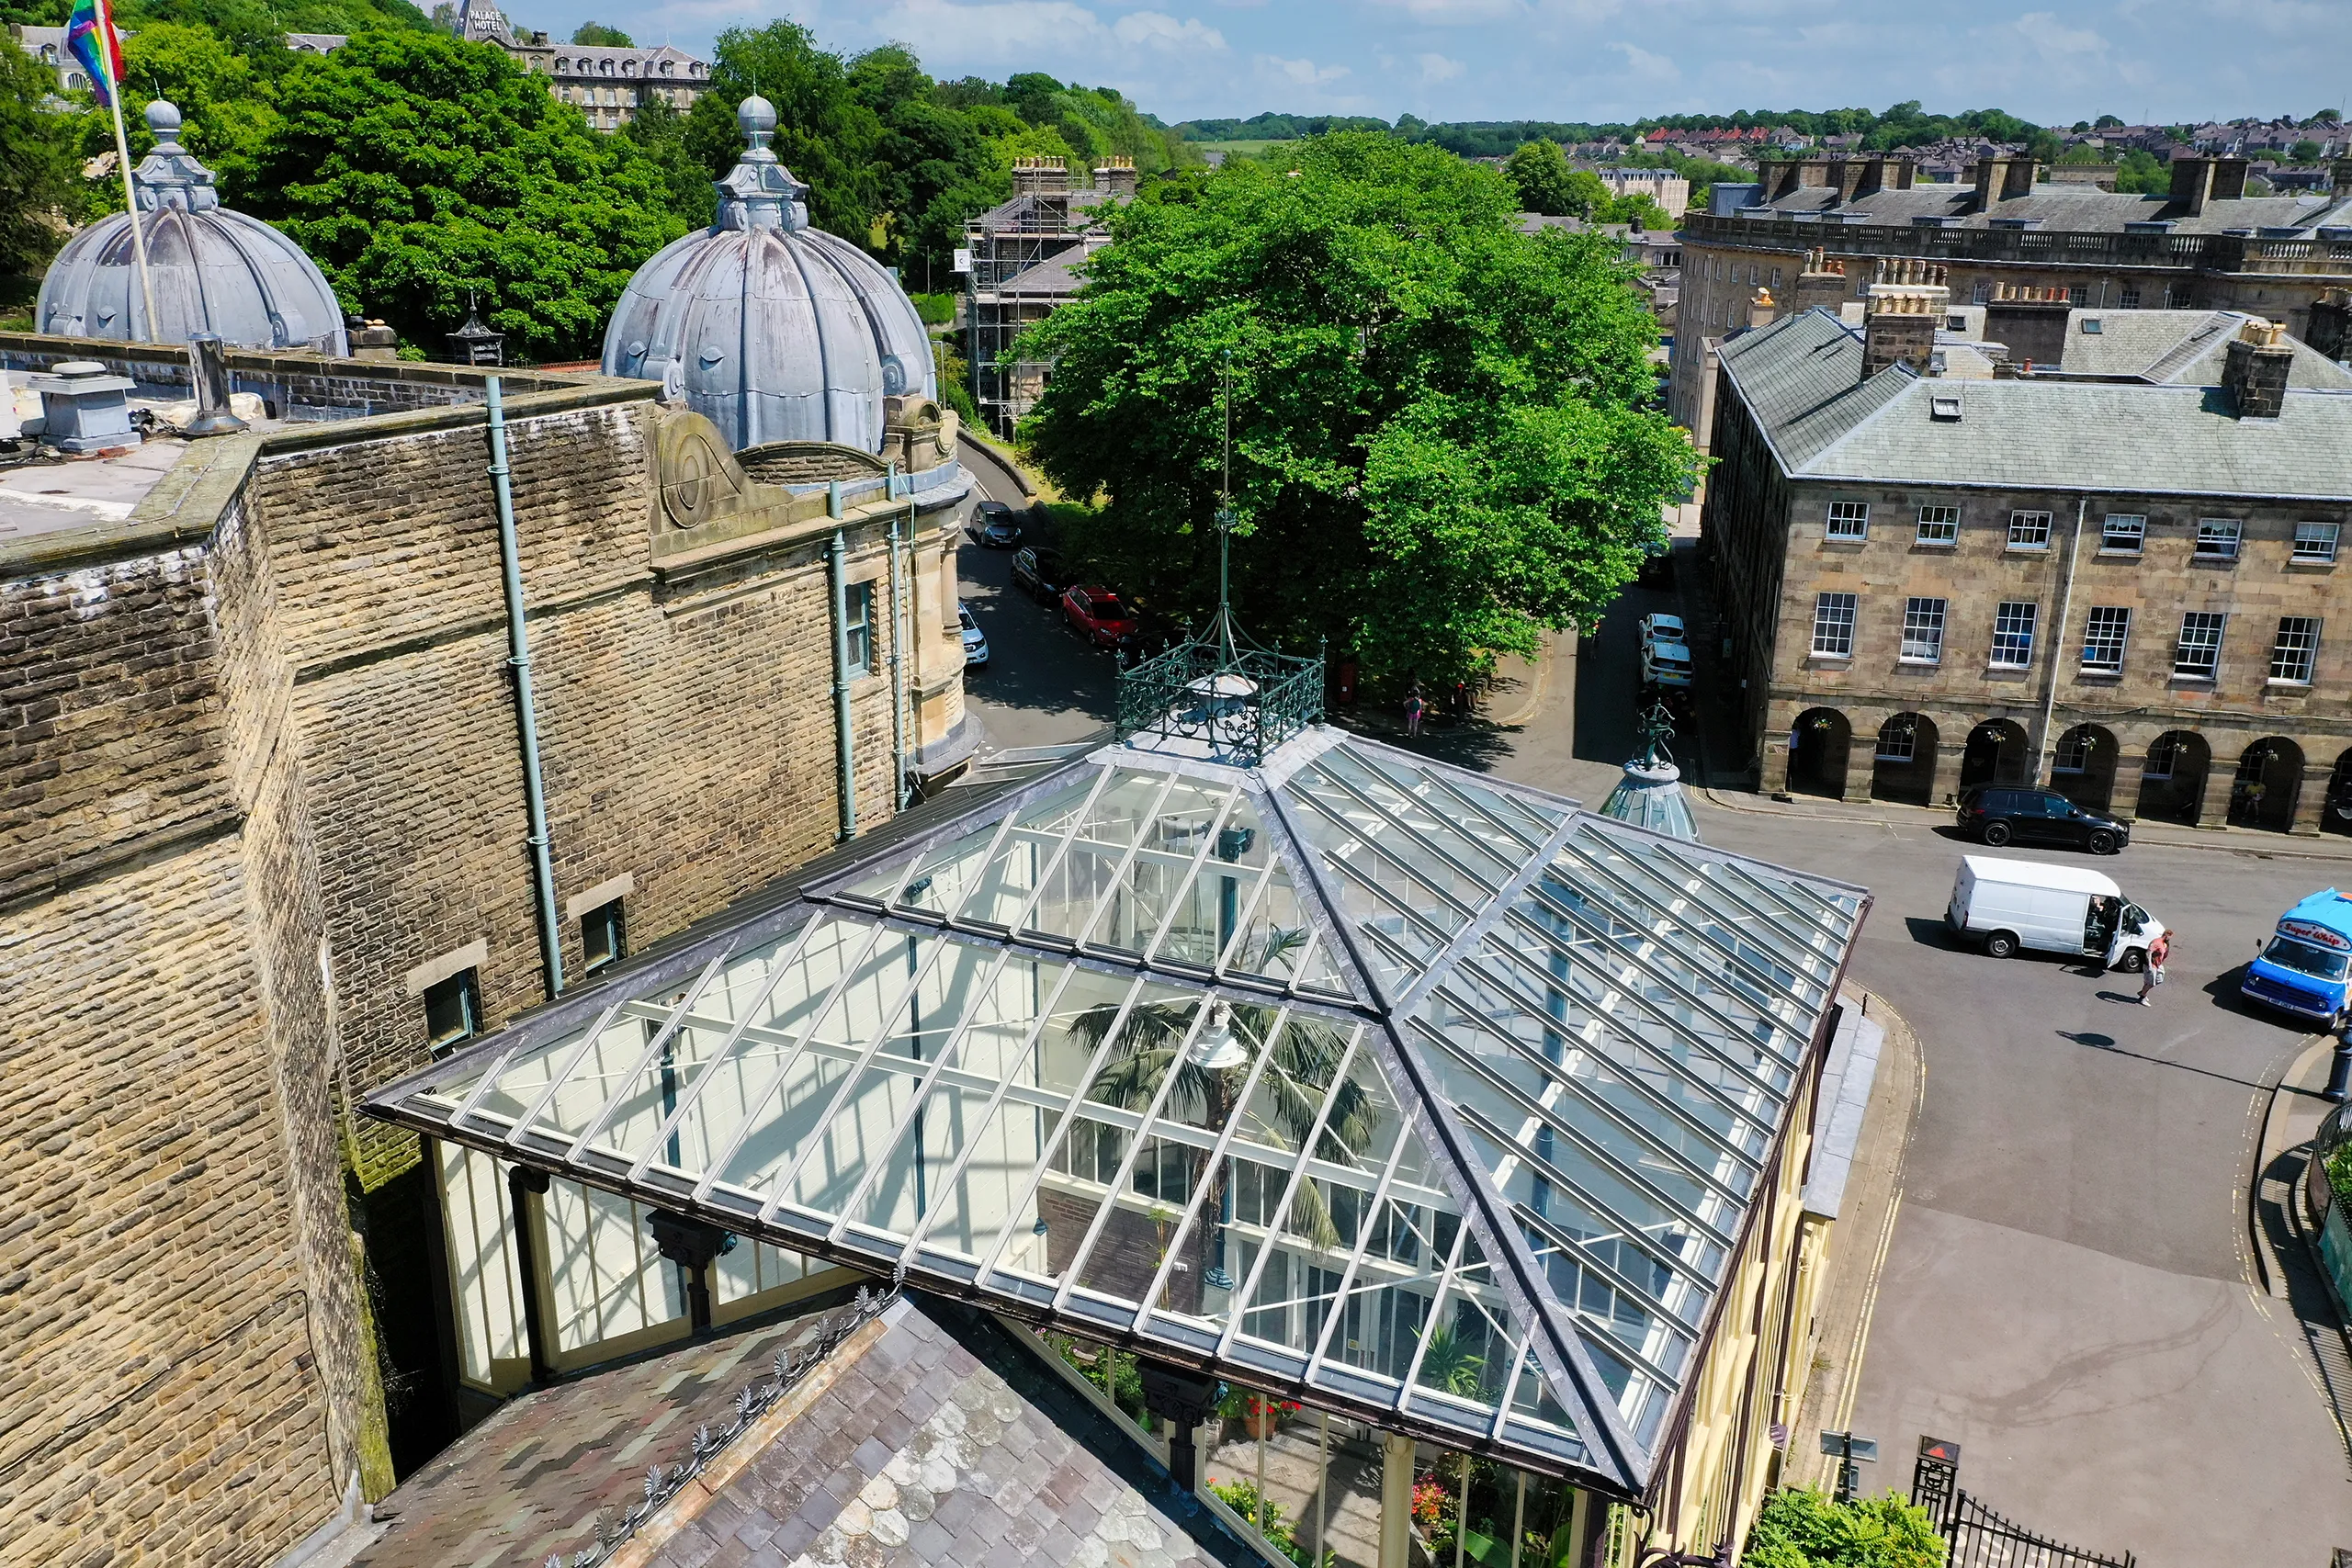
(2064, 1271)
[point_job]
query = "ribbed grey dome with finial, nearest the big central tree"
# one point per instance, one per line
(777, 333)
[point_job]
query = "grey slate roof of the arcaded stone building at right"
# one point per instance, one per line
(1803, 382)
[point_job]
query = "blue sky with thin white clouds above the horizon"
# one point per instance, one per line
(1589, 60)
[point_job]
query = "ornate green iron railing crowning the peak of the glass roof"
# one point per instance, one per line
(1229, 699)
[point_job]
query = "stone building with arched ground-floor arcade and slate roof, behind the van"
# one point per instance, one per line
(2116, 572)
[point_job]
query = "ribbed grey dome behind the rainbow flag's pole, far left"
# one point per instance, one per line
(213, 269)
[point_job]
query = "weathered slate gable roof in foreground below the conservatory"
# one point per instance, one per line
(930, 1438)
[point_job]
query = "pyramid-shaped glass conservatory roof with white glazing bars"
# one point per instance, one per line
(1358, 1078)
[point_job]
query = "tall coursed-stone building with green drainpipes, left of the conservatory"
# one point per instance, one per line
(269, 840)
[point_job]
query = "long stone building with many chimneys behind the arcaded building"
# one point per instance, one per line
(2203, 246)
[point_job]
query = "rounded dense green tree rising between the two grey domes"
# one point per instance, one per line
(417, 170)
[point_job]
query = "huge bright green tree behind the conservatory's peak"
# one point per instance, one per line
(1443, 431)
